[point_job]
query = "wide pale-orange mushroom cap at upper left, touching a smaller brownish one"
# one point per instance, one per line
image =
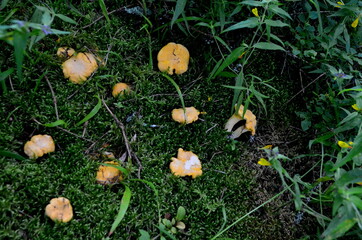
(79, 67)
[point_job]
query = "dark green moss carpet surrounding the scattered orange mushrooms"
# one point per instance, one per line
(232, 181)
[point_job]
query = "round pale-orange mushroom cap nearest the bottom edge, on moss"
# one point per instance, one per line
(59, 210)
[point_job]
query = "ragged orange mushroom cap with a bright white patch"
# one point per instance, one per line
(186, 164)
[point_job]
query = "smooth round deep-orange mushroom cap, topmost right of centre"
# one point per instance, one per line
(173, 58)
